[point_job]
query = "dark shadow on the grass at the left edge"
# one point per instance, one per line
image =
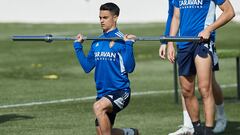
(13, 117)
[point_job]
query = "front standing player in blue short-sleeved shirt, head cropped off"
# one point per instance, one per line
(197, 18)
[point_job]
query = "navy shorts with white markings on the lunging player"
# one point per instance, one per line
(119, 100)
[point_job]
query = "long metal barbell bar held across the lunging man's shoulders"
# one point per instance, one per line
(49, 38)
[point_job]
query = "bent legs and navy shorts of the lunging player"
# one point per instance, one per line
(114, 103)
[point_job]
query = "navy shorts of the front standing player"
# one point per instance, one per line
(186, 56)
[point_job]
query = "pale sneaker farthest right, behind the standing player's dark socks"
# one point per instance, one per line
(221, 125)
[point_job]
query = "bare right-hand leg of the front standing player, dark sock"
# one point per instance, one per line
(204, 74)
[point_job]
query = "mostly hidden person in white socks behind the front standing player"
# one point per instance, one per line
(221, 120)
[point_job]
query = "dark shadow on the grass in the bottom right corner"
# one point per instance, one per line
(233, 128)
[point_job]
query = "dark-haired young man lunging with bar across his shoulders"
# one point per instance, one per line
(112, 60)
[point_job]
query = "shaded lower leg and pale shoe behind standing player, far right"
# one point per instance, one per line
(221, 120)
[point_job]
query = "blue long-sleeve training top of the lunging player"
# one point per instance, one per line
(112, 65)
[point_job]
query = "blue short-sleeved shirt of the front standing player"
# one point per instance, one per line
(195, 15)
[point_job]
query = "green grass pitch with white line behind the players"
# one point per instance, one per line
(152, 109)
